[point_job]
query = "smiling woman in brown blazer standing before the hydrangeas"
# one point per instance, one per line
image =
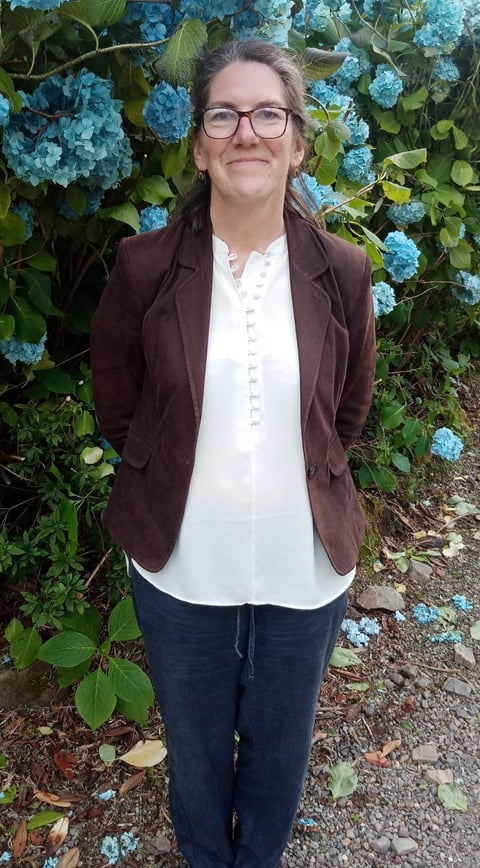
(233, 357)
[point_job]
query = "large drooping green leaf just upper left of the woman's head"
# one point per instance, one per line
(178, 61)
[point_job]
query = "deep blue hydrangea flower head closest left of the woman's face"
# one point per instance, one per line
(167, 112)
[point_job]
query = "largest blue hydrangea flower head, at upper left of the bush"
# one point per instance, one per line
(83, 140)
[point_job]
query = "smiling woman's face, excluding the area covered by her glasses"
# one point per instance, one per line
(245, 169)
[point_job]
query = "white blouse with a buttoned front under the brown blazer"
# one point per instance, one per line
(247, 535)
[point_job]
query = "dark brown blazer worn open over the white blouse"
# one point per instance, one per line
(149, 347)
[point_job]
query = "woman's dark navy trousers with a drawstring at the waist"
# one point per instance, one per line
(253, 670)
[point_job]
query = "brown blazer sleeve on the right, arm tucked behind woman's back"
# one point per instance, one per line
(358, 386)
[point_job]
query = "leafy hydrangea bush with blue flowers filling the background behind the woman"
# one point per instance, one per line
(94, 139)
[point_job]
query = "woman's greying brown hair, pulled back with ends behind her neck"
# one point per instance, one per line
(194, 207)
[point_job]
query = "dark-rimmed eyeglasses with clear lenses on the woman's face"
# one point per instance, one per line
(268, 122)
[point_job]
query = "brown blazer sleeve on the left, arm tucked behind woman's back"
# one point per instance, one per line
(117, 358)
